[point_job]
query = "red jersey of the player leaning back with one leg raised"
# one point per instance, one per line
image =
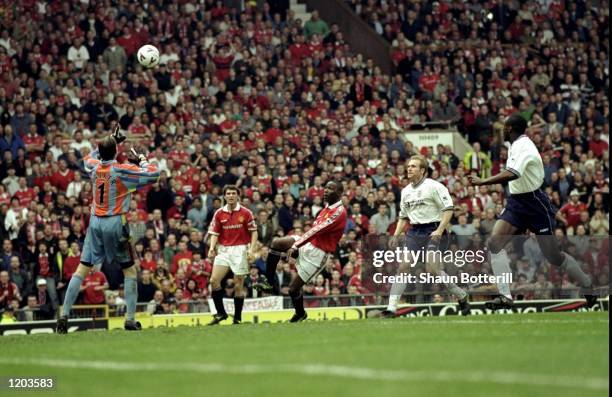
(327, 229)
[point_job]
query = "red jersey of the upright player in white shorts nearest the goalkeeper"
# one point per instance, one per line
(233, 228)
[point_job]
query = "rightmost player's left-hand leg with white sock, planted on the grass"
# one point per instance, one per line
(500, 262)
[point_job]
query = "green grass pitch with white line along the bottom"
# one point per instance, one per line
(560, 354)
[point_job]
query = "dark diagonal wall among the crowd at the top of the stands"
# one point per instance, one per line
(362, 38)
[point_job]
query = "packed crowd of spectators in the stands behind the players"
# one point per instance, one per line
(256, 98)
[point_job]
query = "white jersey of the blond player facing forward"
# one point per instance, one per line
(424, 203)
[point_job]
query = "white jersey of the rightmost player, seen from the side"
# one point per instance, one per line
(525, 161)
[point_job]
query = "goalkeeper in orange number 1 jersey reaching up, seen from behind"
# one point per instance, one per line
(108, 233)
